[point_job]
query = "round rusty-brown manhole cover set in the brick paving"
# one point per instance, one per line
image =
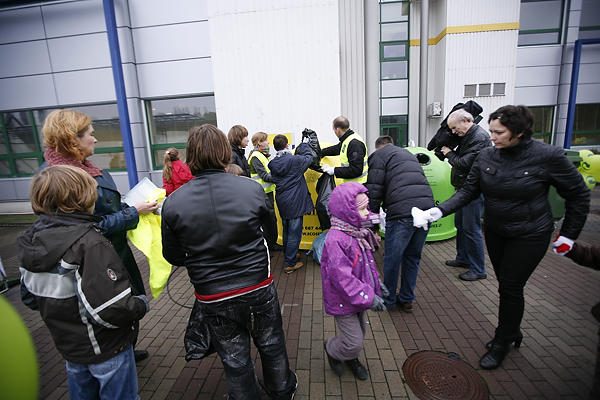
(433, 375)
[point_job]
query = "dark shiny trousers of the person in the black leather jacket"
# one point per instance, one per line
(232, 323)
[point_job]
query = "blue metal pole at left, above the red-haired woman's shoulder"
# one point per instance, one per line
(117, 67)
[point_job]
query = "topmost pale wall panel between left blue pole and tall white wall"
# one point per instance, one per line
(160, 12)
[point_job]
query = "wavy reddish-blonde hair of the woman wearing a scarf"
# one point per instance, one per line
(61, 130)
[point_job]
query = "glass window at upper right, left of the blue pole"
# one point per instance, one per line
(540, 22)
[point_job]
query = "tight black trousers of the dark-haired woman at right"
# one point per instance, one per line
(514, 259)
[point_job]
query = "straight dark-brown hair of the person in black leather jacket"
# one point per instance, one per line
(207, 148)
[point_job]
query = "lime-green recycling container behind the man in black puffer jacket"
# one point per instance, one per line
(438, 175)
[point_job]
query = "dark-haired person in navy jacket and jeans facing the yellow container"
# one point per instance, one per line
(292, 195)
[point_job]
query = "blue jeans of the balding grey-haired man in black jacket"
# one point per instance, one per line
(469, 239)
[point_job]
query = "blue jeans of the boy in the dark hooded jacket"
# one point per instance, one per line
(115, 378)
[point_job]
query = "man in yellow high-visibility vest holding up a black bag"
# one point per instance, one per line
(352, 151)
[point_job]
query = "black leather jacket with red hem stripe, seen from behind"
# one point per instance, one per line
(212, 225)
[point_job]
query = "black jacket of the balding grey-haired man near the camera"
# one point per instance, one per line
(465, 154)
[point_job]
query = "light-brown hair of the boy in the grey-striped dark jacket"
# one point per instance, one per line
(63, 188)
